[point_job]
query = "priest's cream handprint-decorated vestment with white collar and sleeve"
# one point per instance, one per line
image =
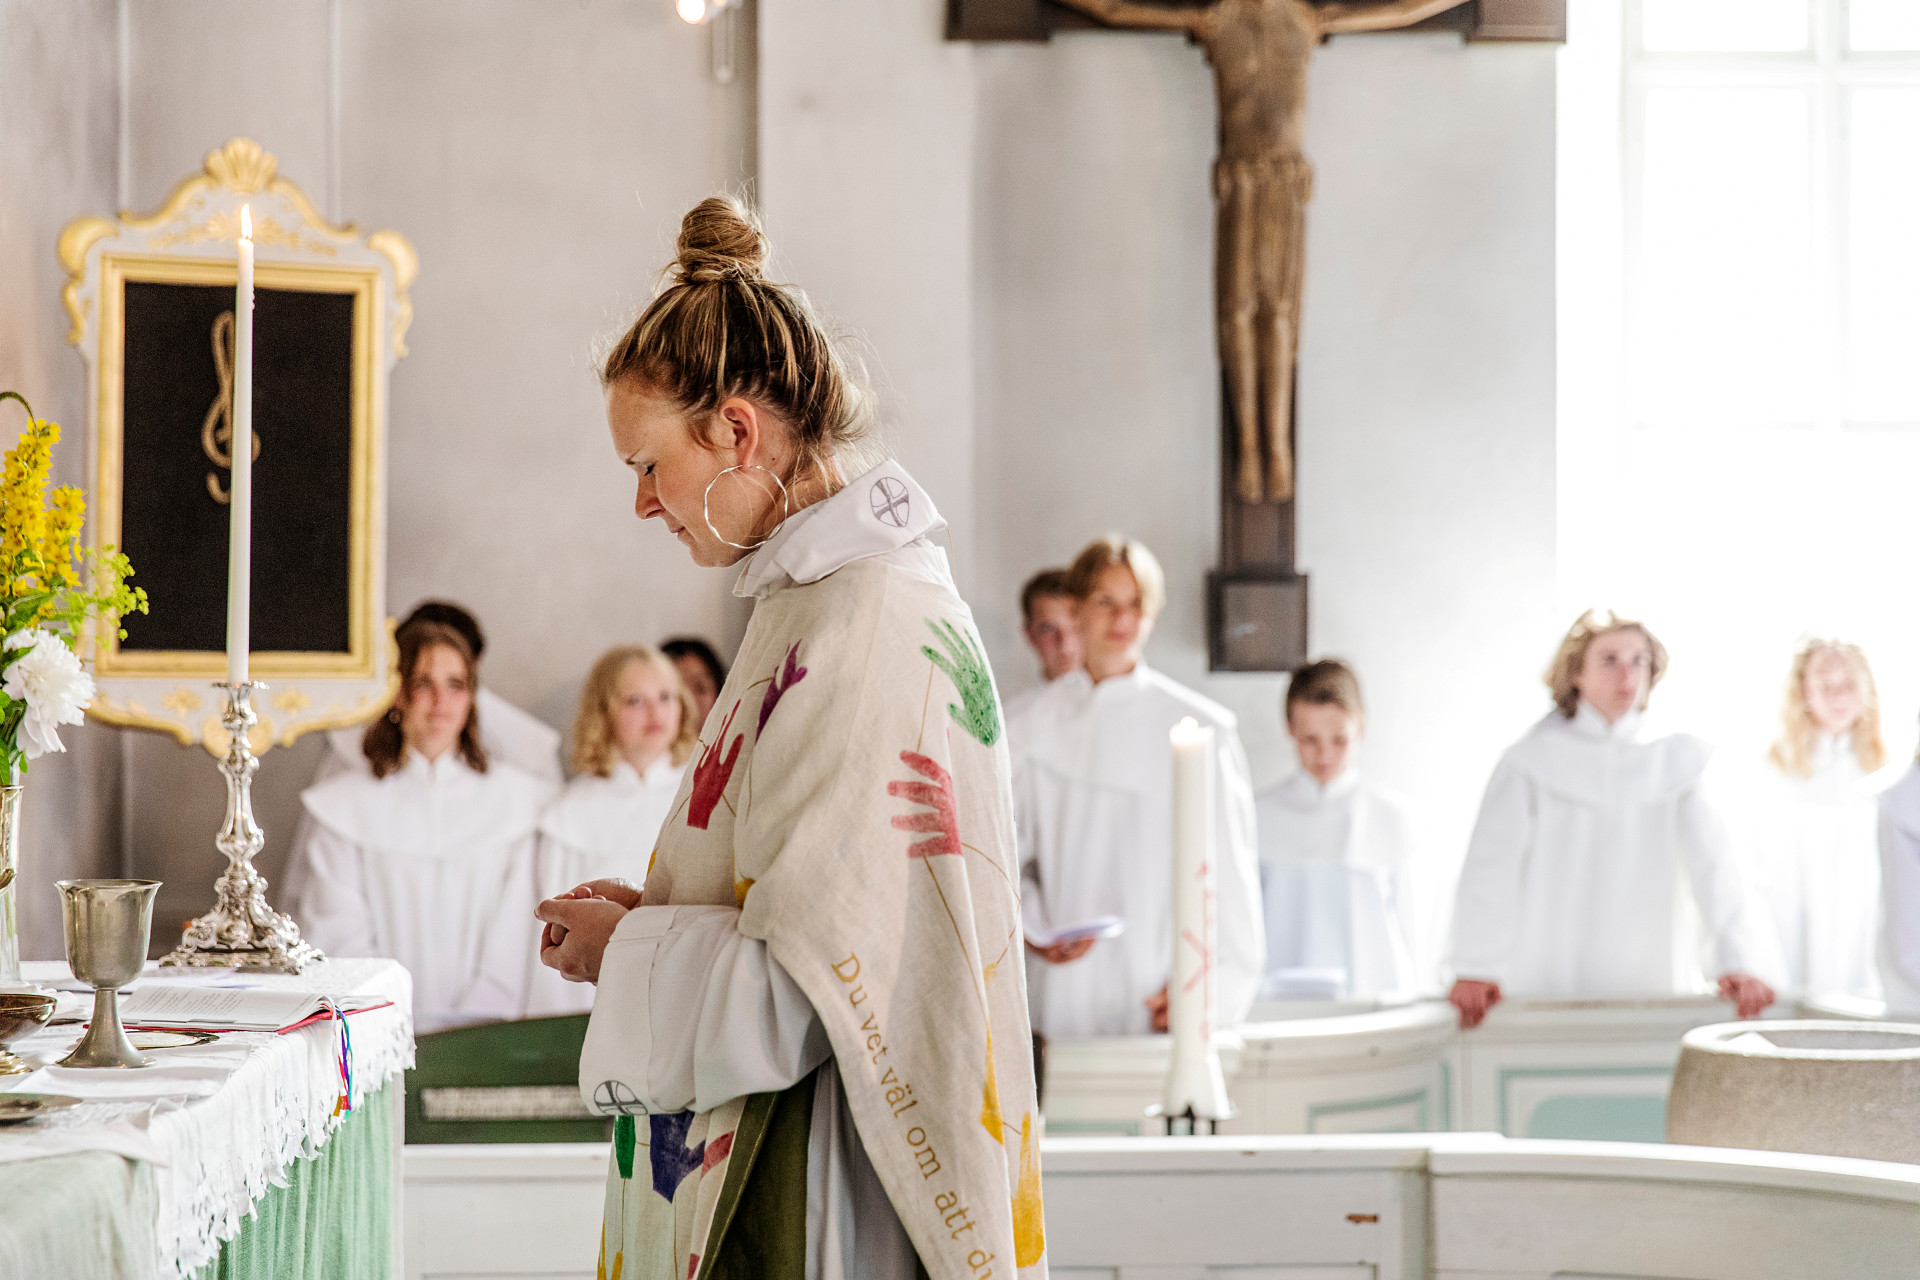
(850, 811)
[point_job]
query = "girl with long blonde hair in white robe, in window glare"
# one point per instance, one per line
(1813, 824)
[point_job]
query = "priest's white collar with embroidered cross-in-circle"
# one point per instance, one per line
(876, 513)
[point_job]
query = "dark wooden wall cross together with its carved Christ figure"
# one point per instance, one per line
(1260, 49)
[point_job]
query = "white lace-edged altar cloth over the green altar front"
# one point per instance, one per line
(218, 1122)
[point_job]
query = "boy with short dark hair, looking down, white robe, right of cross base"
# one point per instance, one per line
(1335, 857)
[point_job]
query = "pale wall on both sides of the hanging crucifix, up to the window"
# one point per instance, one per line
(1426, 373)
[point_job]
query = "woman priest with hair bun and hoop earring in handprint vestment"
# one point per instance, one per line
(813, 1024)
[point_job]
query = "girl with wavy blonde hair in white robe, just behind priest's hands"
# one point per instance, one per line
(633, 740)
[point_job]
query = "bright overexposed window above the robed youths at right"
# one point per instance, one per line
(1740, 341)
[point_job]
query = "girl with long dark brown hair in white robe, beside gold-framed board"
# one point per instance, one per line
(427, 855)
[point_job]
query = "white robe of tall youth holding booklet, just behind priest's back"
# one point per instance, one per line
(1093, 805)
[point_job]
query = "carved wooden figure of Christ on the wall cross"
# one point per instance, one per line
(1262, 183)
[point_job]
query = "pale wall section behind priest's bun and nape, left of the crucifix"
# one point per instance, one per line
(867, 183)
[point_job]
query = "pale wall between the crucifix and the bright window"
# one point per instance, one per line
(1428, 406)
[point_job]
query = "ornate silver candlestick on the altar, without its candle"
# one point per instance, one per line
(243, 932)
